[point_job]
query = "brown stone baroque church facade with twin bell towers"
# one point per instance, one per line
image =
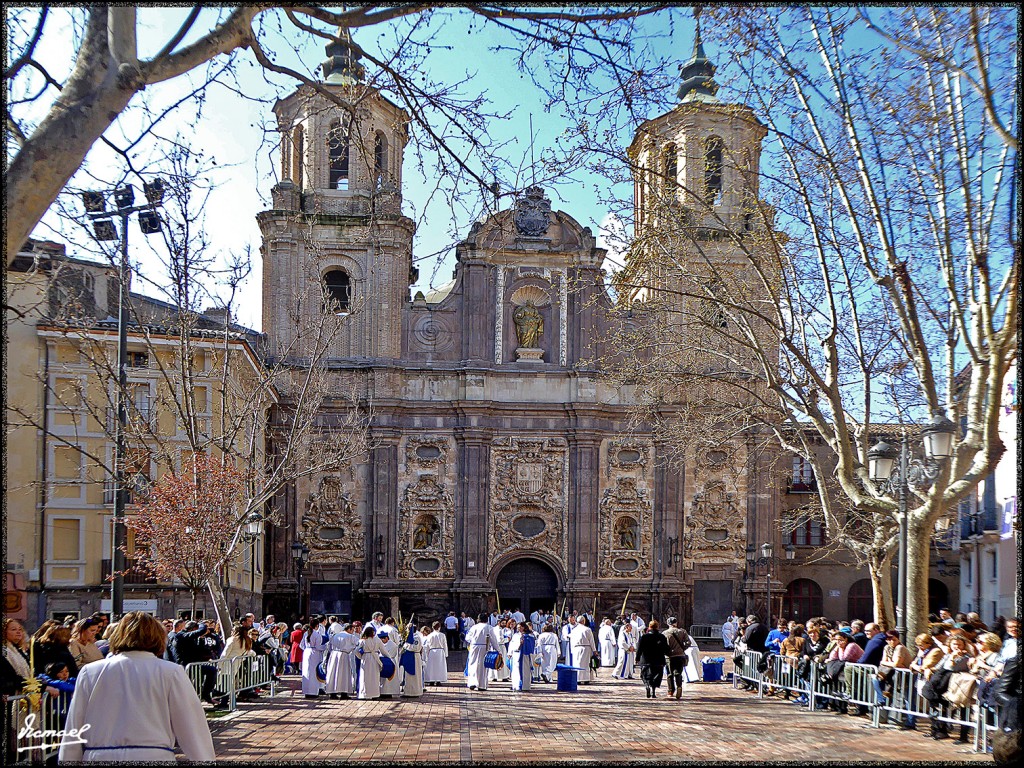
(501, 460)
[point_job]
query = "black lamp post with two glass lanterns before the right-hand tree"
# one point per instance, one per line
(920, 475)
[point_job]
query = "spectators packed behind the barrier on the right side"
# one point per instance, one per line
(958, 663)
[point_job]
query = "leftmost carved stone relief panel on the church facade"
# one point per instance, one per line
(332, 526)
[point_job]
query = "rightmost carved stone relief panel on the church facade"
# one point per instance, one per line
(716, 516)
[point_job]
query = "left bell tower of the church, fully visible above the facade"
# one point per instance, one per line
(336, 247)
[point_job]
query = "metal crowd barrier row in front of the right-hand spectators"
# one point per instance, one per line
(857, 688)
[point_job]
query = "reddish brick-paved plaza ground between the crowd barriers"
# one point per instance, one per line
(609, 721)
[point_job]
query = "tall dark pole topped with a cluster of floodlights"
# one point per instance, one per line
(150, 223)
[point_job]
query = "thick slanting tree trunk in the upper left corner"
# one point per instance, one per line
(92, 100)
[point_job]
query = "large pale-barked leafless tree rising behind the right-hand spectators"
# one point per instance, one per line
(878, 281)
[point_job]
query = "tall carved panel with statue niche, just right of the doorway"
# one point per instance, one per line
(627, 510)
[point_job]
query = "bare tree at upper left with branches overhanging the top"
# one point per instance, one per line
(53, 122)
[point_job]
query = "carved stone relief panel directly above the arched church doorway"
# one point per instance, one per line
(529, 497)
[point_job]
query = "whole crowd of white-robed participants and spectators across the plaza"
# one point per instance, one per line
(958, 662)
